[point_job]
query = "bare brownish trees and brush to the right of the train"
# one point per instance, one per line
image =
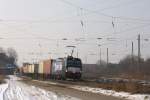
(128, 67)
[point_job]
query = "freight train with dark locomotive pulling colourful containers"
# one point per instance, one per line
(60, 68)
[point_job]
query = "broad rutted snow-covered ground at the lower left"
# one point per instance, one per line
(16, 90)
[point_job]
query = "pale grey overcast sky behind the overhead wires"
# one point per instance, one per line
(35, 28)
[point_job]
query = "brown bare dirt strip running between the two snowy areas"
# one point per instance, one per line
(67, 88)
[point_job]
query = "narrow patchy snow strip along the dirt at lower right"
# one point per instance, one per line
(113, 93)
